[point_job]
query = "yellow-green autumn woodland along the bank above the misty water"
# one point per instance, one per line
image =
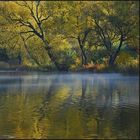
(98, 36)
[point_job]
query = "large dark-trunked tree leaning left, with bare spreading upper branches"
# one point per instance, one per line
(34, 18)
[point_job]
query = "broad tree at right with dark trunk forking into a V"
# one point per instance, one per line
(113, 24)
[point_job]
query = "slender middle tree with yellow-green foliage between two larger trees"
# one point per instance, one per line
(75, 24)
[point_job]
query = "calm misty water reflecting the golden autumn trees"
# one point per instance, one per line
(69, 105)
